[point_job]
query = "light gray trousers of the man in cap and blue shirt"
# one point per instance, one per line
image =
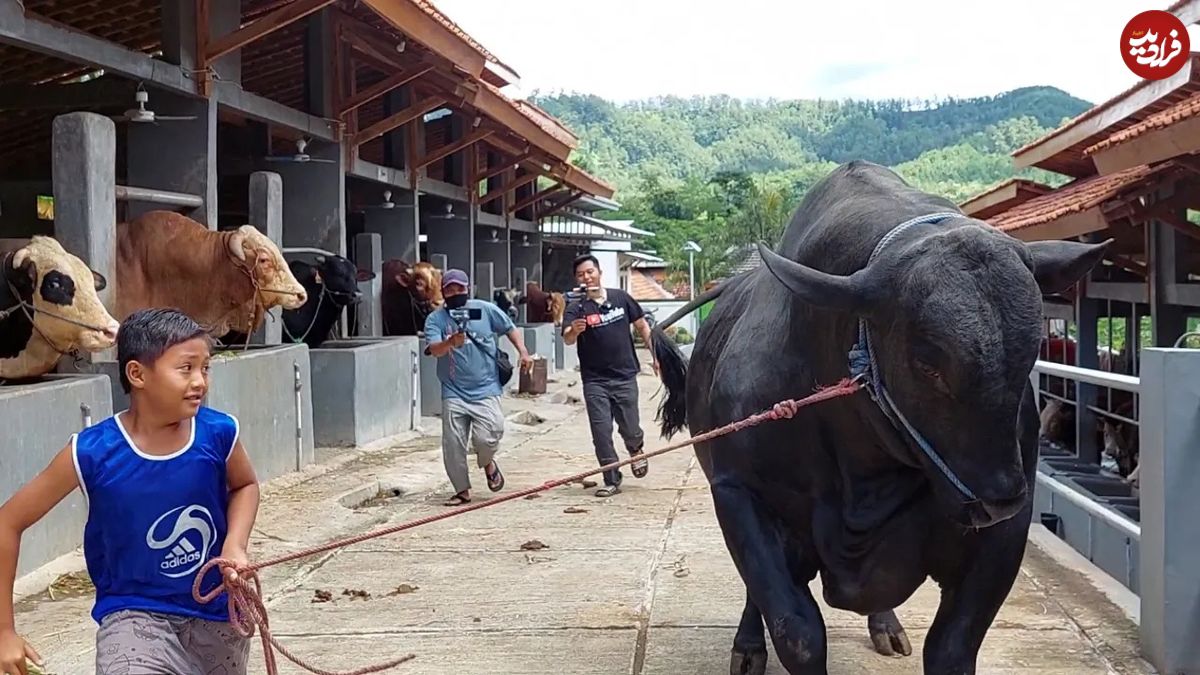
(482, 423)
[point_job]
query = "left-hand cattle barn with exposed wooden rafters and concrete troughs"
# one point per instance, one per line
(369, 130)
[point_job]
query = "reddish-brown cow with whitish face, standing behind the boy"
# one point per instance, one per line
(224, 280)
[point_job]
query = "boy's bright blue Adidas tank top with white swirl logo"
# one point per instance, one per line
(154, 521)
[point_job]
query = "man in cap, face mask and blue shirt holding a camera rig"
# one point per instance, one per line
(463, 336)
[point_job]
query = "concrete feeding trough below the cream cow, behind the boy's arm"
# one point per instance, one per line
(39, 420)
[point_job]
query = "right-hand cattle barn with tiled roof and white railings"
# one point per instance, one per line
(1120, 373)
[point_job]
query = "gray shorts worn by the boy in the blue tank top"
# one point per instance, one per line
(143, 643)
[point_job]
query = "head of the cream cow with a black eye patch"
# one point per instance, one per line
(63, 291)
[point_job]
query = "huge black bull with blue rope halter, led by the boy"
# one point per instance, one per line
(955, 310)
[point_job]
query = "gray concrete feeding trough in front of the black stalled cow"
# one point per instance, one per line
(364, 390)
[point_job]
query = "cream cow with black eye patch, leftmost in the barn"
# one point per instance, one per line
(49, 308)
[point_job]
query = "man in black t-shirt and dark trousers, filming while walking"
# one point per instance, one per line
(601, 325)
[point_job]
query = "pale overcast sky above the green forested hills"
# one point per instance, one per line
(629, 50)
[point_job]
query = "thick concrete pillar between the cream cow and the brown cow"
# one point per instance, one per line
(85, 168)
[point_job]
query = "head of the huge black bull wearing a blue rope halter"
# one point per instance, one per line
(956, 321)
